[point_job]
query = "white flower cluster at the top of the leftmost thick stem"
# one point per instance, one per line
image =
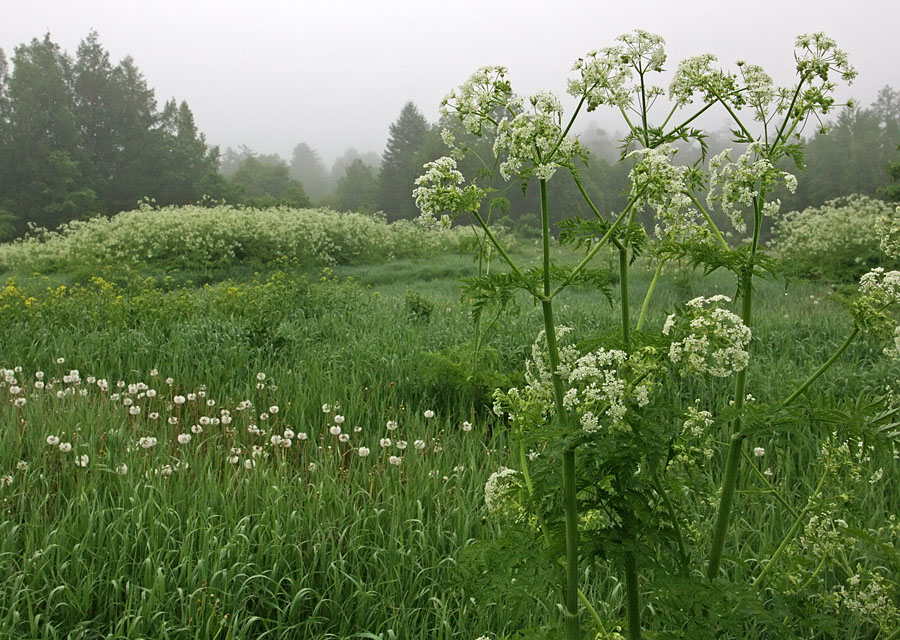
(532, 142)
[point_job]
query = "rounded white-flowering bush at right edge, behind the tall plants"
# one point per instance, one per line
(840, 239)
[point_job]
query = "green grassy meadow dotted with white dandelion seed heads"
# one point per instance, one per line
(231, 534)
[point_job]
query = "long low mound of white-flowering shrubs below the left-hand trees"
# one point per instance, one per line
(195, 237)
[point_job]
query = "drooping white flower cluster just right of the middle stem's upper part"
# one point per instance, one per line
(663, 186)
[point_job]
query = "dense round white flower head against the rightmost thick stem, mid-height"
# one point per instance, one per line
(713, 340)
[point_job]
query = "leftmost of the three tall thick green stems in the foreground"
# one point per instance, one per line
(570, 592)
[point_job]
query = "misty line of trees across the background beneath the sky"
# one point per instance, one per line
(81, 136)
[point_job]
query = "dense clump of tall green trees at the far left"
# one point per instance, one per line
(82, 136)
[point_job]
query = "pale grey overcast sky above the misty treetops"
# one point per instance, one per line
(335, 73)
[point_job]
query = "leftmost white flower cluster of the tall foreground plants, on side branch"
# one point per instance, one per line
(439, 193)
